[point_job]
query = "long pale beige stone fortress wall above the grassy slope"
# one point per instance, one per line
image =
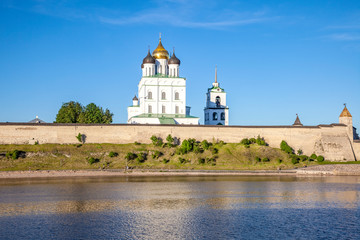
(331, 141)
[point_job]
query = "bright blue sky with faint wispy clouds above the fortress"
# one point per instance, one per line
(274, 58)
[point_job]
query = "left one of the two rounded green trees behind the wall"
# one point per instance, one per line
(69, 113)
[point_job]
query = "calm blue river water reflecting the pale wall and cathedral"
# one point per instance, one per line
(181, 208)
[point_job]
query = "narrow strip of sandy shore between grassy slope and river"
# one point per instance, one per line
(346, 169)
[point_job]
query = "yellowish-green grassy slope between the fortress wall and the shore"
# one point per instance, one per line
(60, 157)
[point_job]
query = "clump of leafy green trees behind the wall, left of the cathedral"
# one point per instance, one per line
(74, 112)
